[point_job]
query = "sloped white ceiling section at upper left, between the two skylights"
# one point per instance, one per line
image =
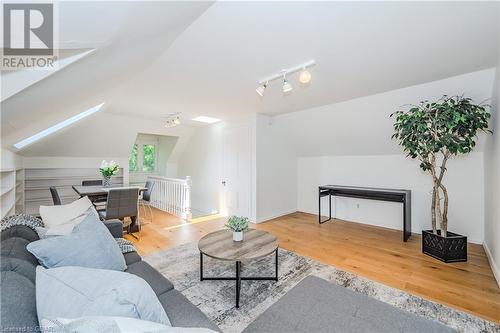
(133, 35)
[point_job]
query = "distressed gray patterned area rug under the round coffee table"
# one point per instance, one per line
(217, 298)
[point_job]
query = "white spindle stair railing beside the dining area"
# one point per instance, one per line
(172, 195)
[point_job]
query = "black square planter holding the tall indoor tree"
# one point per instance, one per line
(448, 249)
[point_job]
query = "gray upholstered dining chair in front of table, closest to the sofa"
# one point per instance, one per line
(122, 203)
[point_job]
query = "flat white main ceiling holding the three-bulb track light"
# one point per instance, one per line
(361, 48)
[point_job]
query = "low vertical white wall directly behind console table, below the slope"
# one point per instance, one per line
(464, 181)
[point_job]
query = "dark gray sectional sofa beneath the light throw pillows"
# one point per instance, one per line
(18, 301)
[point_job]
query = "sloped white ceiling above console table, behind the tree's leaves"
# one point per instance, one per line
(363, 126)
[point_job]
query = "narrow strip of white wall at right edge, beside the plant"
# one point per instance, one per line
(492, 184)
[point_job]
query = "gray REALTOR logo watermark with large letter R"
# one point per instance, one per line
(29, 32)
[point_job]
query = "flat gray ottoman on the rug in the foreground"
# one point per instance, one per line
(316, 305)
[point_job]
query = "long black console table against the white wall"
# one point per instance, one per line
(383, 194)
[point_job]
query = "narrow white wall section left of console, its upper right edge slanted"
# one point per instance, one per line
(276, 172)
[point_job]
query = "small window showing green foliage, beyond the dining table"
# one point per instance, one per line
(143, 157)
